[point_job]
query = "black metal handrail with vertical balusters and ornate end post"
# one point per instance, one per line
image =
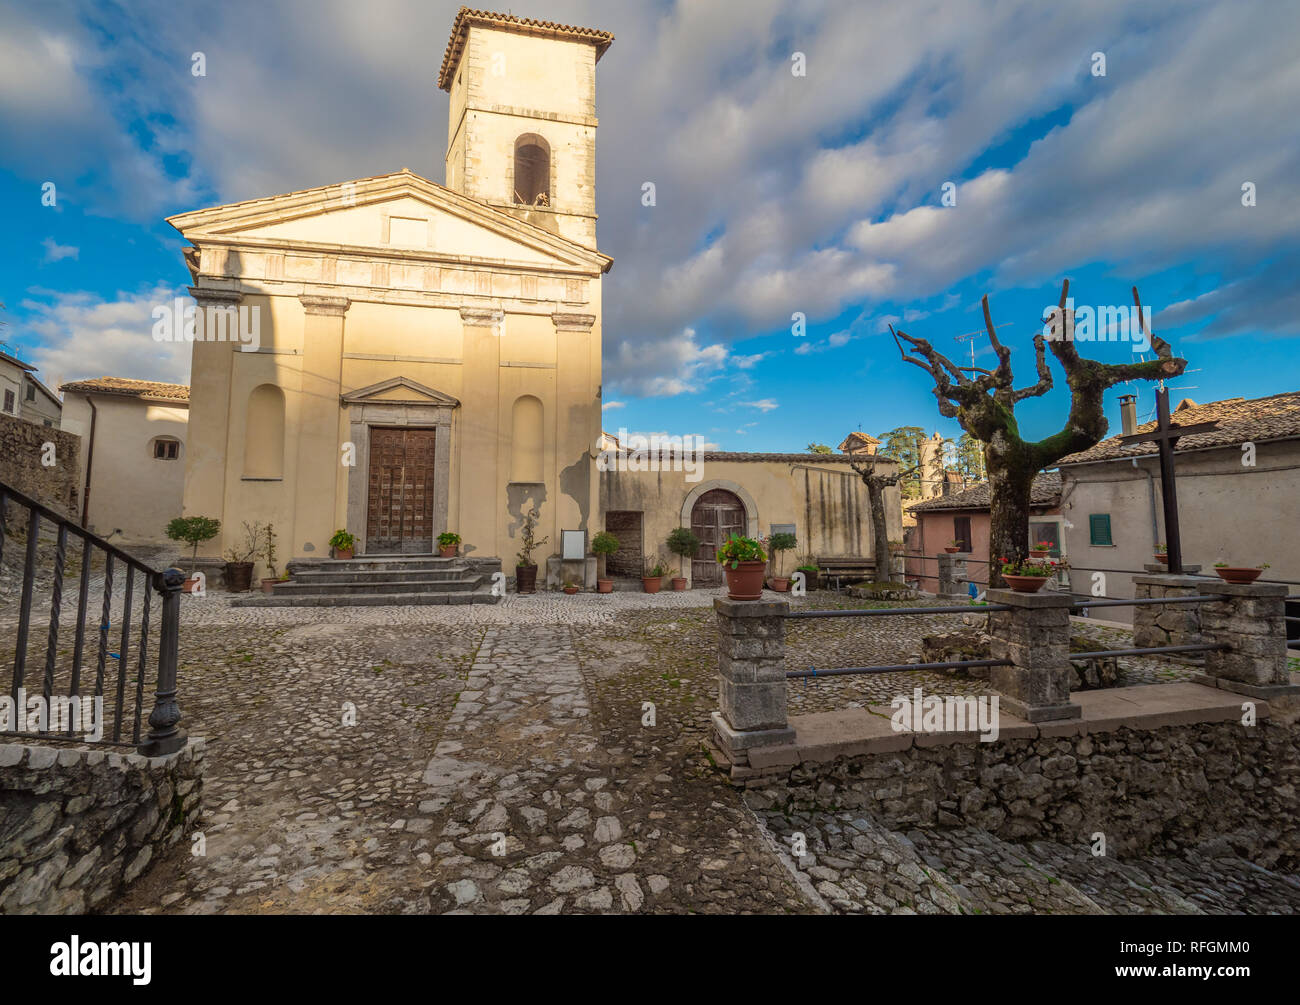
(164, 720)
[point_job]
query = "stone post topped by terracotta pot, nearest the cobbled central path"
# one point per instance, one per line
(751, 677)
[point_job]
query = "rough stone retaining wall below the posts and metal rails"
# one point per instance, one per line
(1149, 791)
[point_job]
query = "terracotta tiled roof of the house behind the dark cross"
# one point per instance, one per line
(1241, 421)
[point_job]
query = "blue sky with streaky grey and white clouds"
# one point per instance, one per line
(775, 194)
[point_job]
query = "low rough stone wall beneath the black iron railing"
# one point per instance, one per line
(77, 825)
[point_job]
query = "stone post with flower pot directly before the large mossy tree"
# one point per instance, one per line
(1035, 636)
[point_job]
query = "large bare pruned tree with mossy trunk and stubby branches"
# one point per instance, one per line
(985, 404)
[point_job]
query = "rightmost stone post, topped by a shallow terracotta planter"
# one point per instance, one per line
(1250, 620)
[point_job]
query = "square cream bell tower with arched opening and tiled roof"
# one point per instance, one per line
(522, 124)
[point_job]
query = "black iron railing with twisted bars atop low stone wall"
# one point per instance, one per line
(70, 713)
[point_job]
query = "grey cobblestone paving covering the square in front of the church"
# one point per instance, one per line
(545, 756)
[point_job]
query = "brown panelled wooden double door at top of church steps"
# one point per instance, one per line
(400, 506)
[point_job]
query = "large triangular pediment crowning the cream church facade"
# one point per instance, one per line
(400, 215)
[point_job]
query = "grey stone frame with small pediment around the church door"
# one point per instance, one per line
(424, 409)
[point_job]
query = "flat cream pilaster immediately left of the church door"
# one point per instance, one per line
(319, 469)
